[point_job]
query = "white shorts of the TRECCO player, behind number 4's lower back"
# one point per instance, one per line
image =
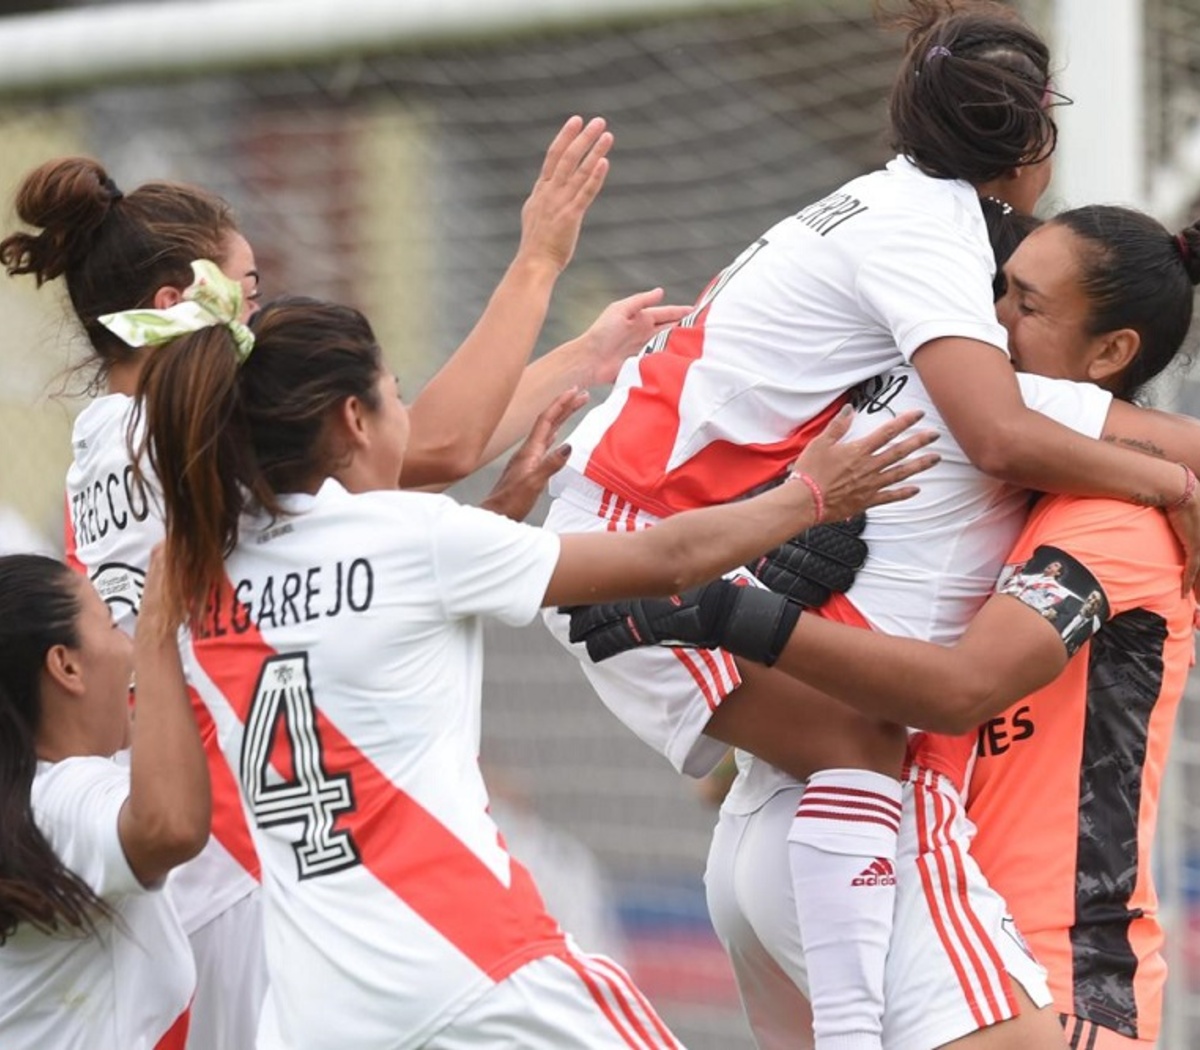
(231, 977)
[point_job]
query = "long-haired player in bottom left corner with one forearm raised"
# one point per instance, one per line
(92, 952)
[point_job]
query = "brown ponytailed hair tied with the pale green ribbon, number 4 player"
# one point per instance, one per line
(224, 439)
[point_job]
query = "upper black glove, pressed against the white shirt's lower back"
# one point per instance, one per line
(819, 562)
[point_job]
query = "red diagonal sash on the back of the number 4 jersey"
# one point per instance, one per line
(497, 927)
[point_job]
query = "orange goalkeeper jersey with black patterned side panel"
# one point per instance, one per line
(1066, 784)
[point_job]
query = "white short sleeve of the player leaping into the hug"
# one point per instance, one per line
(928, 287)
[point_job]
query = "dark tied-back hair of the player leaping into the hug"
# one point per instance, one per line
(970, 99)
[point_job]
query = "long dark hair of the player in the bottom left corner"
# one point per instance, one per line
(40, 610)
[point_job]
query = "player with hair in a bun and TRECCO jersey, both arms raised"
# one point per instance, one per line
(122, 251)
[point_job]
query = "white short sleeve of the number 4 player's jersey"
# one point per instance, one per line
(489, 566)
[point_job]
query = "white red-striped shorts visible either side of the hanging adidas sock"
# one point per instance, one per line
(953, 945)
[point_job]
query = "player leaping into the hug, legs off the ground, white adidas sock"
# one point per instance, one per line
(893, 268)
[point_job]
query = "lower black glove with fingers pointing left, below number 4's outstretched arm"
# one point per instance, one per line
(746, 621)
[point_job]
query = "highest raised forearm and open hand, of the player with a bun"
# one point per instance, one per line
(455, 416)
